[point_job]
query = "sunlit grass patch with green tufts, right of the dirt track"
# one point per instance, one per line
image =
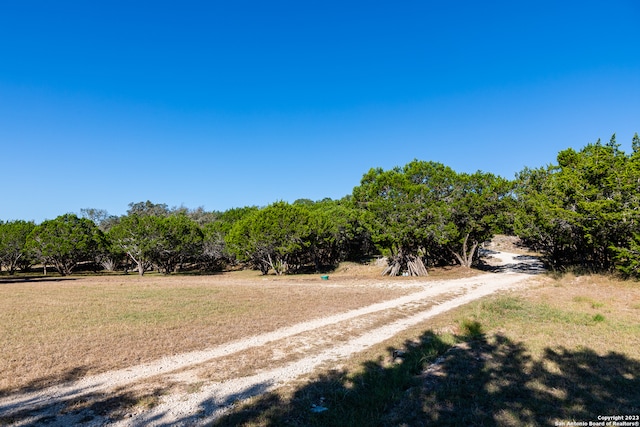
(595, 312)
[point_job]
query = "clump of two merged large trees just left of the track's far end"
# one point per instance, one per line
(425, 213)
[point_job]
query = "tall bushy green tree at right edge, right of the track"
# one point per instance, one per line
(584, 210)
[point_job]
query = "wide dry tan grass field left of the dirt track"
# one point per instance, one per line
(58, 330)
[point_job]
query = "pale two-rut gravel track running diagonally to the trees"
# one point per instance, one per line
(211, 400)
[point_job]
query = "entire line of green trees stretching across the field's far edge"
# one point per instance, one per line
(583, 211)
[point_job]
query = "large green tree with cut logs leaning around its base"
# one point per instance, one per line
(405, 209)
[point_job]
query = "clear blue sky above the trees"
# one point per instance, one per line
(235, 103)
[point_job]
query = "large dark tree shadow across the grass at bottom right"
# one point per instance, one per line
(484, 381)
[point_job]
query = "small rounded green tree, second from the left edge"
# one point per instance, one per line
(66, 241)
